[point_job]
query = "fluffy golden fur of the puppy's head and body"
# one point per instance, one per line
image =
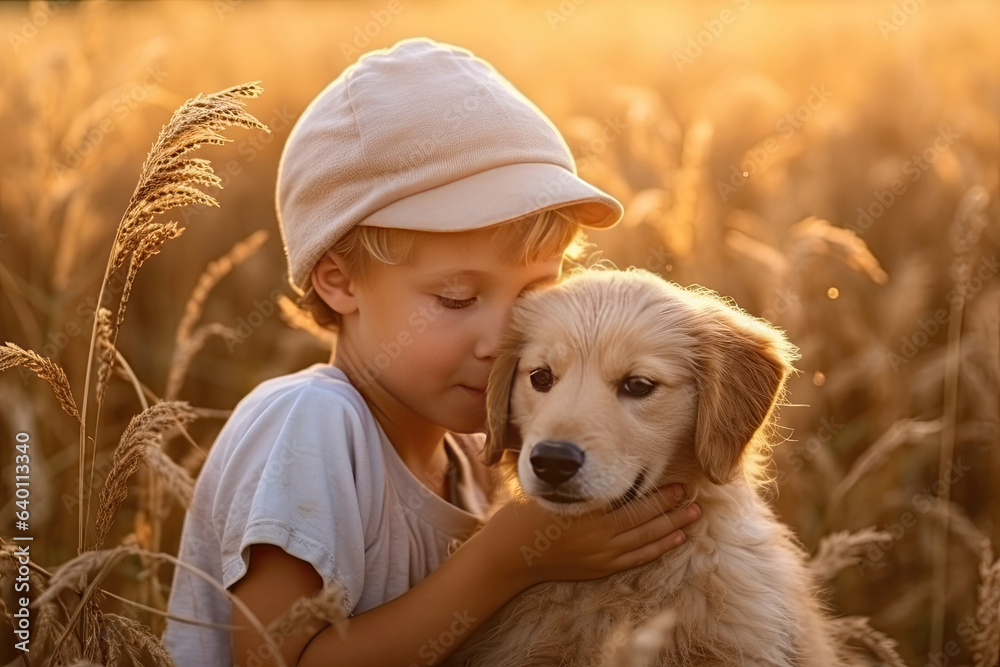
(738, 587)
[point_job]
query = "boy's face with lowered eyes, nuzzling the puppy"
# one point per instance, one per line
(427, 331)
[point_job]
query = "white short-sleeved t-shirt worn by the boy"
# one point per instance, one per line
(302, 464)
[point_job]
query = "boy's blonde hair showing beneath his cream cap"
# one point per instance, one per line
(547, 234)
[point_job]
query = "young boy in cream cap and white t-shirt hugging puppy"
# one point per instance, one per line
(418, 196)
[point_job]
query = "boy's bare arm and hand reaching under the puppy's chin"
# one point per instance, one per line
(444, 608)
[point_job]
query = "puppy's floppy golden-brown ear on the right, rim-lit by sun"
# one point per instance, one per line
(741, 377)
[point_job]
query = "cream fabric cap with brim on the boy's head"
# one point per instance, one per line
(422, 136)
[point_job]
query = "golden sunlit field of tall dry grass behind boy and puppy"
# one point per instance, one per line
(833, 167)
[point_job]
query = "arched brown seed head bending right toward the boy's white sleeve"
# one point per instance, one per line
(144, 430)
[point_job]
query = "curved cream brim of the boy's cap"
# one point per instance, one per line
(501, 194)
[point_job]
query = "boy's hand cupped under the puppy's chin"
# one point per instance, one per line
(532, 545)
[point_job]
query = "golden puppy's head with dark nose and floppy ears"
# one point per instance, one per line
(614, 382)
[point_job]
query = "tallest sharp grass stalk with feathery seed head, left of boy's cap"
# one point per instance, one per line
(167, 180)
